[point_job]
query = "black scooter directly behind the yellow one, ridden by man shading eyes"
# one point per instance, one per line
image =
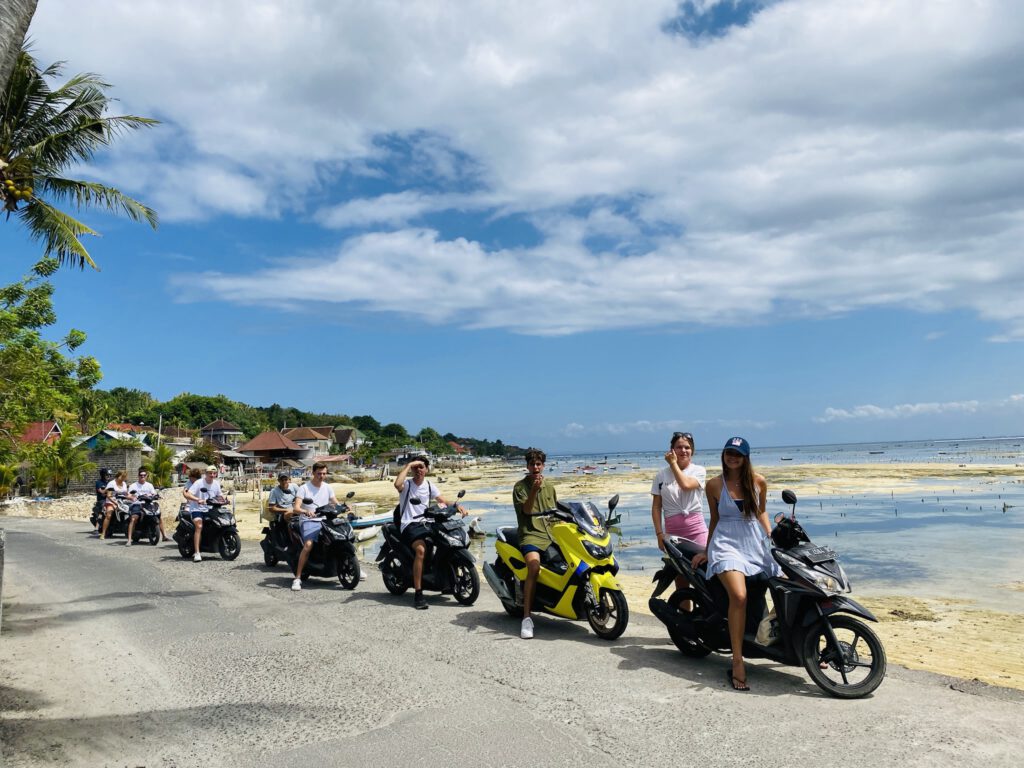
(448, 567)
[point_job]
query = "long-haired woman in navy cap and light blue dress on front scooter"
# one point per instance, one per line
(739, 541)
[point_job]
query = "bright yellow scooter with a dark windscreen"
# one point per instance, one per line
(578, 573)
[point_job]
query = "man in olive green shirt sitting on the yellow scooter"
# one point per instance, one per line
(532, 496)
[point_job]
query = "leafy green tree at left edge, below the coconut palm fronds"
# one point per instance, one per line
(37, 378)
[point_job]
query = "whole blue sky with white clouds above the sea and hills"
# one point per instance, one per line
(580, 227)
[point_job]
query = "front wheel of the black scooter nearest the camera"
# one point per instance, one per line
(855, 669)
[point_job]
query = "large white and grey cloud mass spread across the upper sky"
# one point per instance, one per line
(818, 157)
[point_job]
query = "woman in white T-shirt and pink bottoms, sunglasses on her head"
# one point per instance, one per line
(677, 493)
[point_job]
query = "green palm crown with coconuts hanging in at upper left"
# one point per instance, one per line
(44, 133)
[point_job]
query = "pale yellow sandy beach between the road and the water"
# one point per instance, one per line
(949, 636)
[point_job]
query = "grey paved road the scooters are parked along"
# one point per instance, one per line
(116, 657)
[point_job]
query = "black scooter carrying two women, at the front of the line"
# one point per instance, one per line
(812, 628)
